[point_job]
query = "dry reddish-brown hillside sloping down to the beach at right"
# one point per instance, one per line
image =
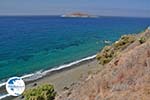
(125, 77)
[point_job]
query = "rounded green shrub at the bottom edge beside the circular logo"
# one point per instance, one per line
(45, 92)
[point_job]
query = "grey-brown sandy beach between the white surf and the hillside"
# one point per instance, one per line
(66, 77)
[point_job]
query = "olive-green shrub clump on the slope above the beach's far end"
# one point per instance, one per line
(109, 52)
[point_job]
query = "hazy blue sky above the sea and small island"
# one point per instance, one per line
(135, 8)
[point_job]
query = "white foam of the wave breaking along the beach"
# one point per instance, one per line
(39, 74)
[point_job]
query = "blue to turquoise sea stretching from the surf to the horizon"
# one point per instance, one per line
(29, 44)
